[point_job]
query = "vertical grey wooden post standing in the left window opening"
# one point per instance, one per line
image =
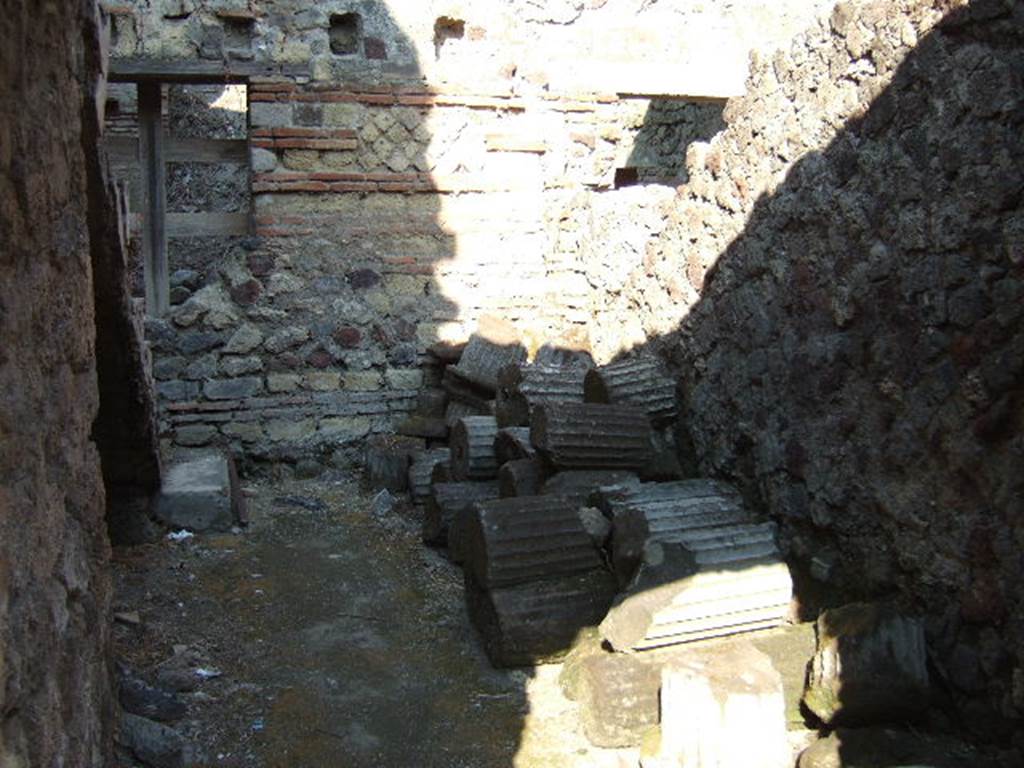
(151, 151)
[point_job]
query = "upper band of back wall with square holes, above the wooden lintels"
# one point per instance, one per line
(631, 47)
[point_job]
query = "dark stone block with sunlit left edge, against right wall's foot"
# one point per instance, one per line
(870, 667)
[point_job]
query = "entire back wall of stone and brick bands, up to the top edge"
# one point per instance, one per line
(446, 165)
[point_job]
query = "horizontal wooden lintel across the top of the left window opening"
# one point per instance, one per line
(143, 70)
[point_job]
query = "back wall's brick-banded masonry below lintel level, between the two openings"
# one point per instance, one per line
(386, 221)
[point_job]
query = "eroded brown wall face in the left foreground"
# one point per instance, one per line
(55, 592)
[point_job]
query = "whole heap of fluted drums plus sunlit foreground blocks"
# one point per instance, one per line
(668, 600)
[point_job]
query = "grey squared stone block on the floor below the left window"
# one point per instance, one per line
(200, 495)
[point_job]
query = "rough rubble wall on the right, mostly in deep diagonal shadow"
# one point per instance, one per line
(840, 287)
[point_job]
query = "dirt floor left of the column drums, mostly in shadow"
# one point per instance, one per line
(326, 634)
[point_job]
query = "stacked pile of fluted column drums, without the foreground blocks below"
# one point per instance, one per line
(540, 495)
